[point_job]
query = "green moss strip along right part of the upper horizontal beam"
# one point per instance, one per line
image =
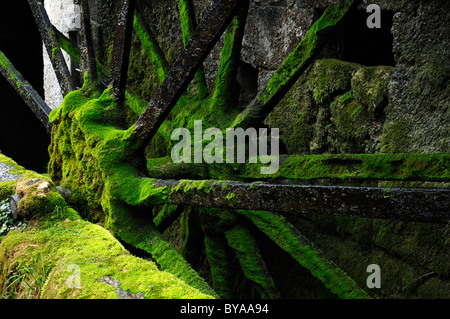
(401, 167)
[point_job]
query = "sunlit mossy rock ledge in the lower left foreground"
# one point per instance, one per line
(59, 255)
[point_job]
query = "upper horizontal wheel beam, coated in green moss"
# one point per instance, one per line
(339, 167)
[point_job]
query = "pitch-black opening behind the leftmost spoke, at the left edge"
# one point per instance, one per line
(21, 133)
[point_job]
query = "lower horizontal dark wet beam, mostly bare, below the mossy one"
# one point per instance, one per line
(405, 204)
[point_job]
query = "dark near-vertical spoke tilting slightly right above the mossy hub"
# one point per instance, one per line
(121, 48)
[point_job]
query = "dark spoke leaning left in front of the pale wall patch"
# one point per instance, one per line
(52, 47)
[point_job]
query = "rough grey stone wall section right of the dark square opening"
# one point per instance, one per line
(418, 117)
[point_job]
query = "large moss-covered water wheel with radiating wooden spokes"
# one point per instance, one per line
(225, 225)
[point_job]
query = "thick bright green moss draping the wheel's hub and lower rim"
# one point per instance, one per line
(91, 155)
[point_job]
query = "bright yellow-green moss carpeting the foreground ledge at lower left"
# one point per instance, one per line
(68, 244)
